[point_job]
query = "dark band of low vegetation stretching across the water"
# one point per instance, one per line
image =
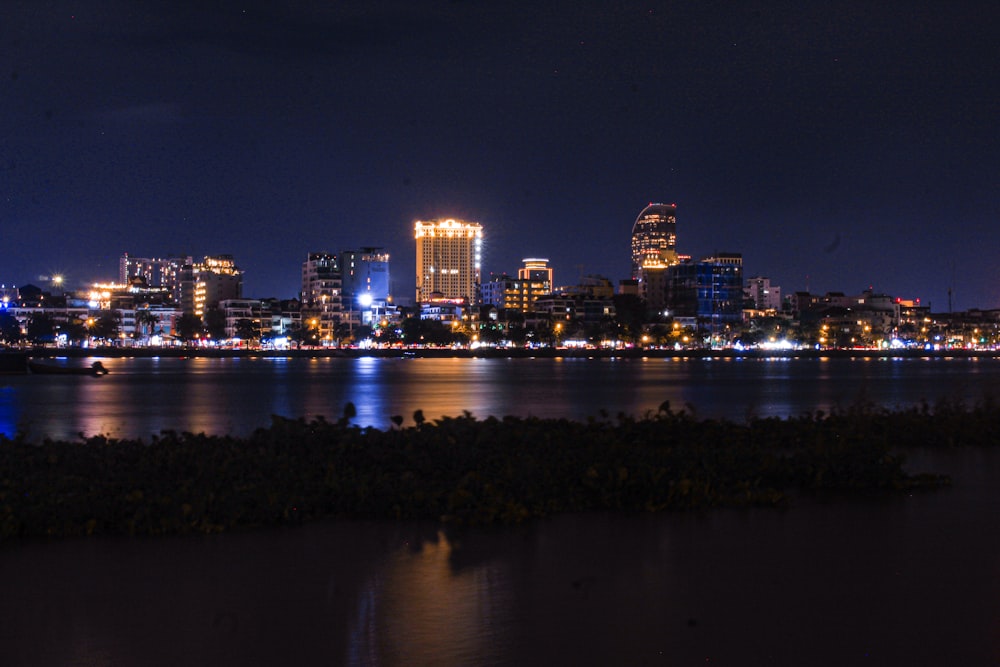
(462, 470)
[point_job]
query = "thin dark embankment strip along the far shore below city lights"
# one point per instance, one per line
(513, 353)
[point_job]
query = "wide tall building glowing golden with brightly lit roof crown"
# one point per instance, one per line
(449, 259)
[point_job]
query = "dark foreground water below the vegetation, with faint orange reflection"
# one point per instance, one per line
(909, 580)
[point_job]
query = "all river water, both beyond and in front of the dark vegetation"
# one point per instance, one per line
(904, 580)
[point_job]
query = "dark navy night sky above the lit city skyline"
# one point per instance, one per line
(837, 145)
